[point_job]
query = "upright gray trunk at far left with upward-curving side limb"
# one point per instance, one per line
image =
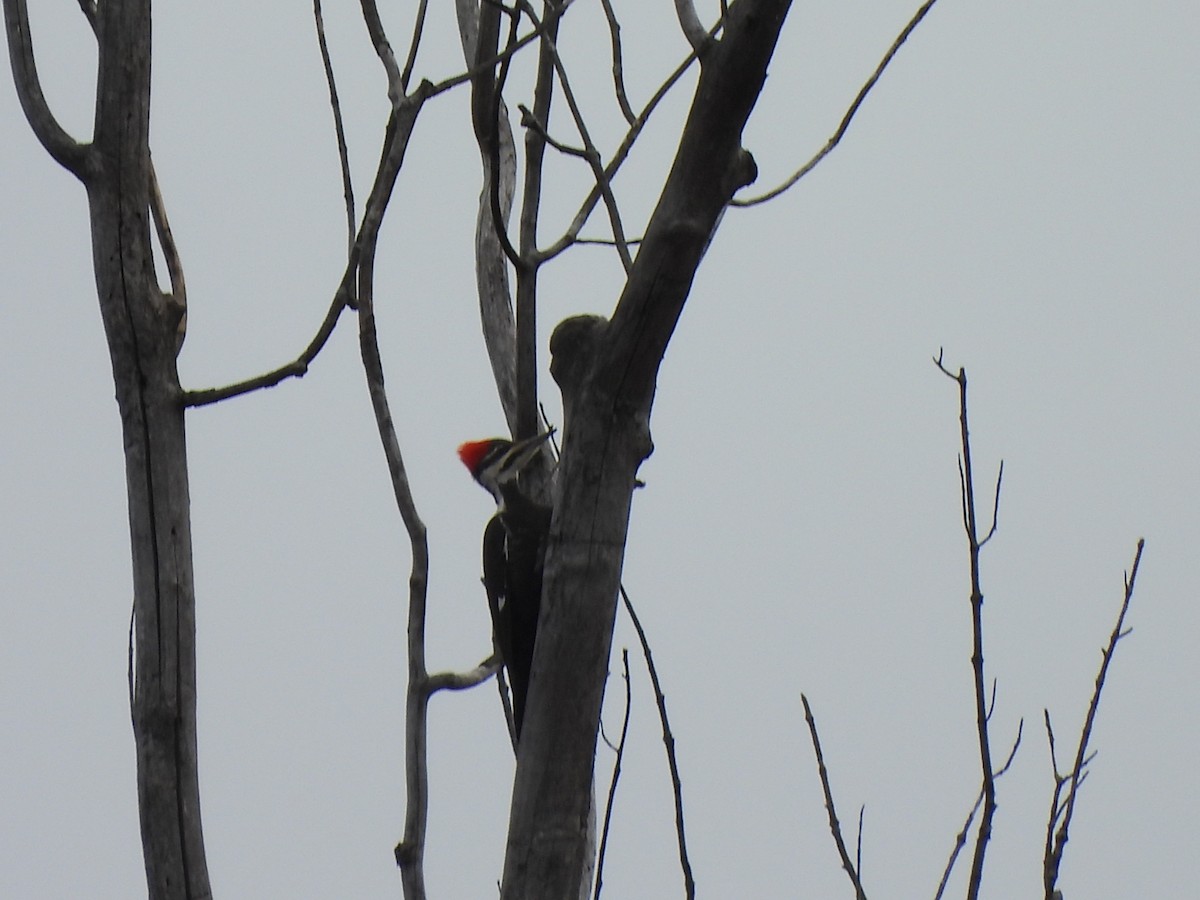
(142, 326)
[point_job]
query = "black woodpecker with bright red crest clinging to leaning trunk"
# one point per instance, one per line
(514, 554)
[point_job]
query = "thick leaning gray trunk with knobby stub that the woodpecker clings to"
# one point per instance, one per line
(608, 374)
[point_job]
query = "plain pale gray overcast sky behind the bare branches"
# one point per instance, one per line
(1021, 189)
